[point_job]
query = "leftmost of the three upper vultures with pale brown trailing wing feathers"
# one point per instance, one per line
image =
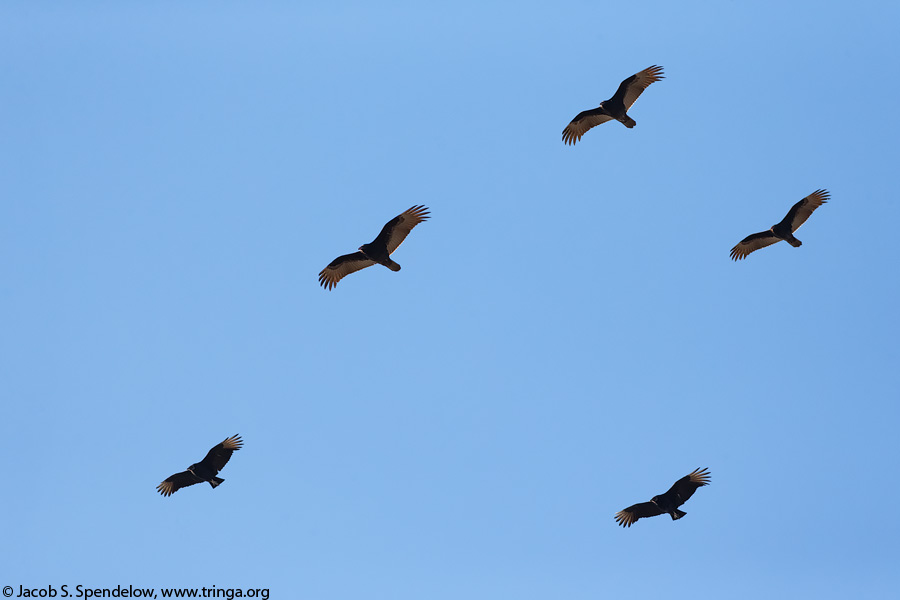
(379, 251)
